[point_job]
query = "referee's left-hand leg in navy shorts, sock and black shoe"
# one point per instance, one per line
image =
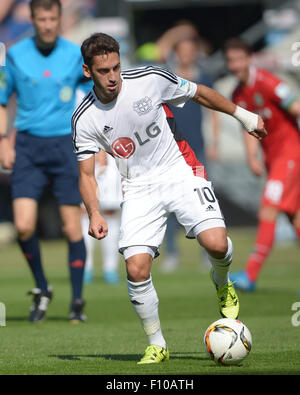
(28, 182)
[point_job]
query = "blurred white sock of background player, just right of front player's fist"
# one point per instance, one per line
(109, 245)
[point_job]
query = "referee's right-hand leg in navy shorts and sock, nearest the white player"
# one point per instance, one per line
(63, 172)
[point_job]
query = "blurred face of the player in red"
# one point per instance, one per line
(238, 62)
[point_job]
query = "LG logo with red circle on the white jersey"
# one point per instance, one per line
(124, 147)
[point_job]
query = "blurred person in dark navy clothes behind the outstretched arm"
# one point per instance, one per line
(190, 119)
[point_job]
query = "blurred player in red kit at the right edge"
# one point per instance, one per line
(261, 92)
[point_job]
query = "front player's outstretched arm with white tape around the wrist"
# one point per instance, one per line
(212, 99)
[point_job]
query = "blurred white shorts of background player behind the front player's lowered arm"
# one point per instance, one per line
(109, 186)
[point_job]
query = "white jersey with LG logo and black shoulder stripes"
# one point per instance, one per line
(137, 128)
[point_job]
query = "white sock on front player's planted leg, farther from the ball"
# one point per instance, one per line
(144, 300)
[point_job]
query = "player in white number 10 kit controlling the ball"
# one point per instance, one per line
(127, 115)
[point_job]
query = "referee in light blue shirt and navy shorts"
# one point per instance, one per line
(44, 71)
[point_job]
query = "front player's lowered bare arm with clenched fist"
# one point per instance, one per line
(89, 193)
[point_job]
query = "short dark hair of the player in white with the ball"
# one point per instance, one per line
(98, 44)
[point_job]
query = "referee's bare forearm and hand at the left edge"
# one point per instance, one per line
(7, 152)
